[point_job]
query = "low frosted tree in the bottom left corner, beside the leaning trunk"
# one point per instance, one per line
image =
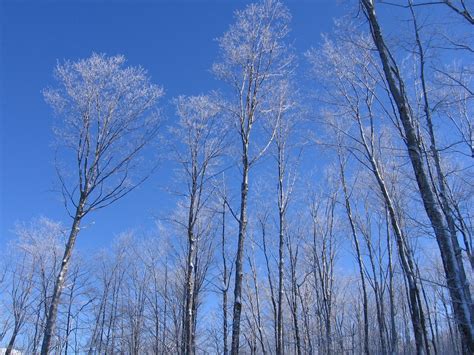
(33, 254)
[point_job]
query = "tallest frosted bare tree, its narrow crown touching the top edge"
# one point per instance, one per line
(253, 56)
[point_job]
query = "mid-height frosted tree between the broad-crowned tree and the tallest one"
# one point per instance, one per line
(203, 136)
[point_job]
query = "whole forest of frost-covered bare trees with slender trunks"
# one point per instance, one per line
(326, 215)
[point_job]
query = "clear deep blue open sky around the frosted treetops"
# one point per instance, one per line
(173, 40)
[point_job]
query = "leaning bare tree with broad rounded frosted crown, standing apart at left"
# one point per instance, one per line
(107, 120)
